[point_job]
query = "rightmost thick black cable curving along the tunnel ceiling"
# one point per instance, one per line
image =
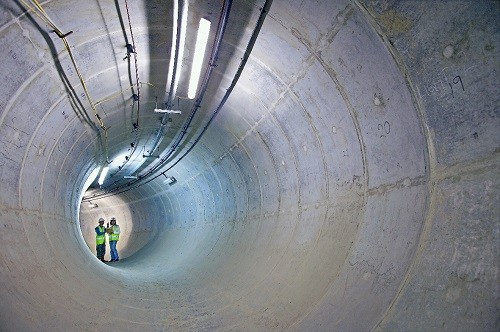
(265, 9)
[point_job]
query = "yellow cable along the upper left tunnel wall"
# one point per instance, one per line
(40, 12)
